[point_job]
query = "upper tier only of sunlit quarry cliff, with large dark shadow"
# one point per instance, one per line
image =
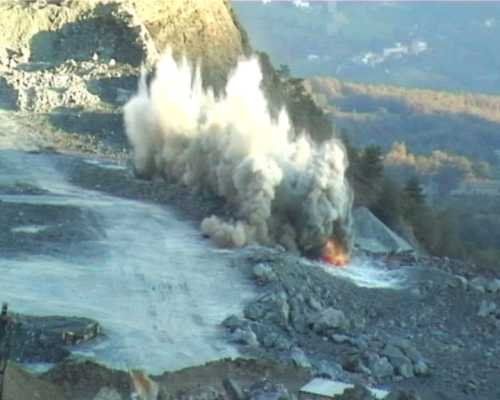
(54, 31)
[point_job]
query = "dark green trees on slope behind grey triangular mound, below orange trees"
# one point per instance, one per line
(446, 231)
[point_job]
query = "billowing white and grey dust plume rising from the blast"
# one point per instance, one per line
(285, 189)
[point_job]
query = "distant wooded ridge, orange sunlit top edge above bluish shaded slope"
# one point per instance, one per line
(426, 120)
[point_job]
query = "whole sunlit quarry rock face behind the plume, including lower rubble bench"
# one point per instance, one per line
(87, 54)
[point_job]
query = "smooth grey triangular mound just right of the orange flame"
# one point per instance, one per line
(373, 236)
